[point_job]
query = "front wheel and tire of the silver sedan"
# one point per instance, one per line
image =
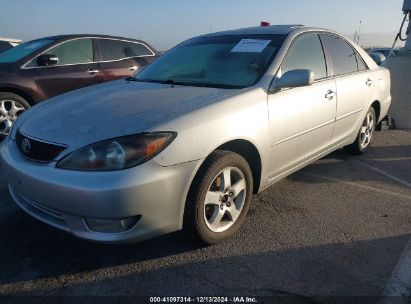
(219, 198)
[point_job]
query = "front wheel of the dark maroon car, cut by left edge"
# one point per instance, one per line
(11, 106)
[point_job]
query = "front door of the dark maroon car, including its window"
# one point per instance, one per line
(75, 69)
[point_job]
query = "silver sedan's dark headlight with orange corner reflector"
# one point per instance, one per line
(119, 153)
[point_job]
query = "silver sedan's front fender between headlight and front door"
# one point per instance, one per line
(243, 116)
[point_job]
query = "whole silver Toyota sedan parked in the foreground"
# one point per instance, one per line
(188, 140)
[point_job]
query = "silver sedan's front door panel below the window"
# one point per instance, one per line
(309, 117)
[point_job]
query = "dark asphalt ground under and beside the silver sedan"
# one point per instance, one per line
(336, 228)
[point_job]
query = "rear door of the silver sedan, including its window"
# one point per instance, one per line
(355, 85)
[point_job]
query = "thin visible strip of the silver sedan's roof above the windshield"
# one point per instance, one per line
(272, 29)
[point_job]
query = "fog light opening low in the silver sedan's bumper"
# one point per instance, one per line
(112, 226)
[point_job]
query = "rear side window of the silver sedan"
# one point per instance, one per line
(343, 57)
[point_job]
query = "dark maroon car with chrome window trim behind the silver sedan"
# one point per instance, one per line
(39, 69)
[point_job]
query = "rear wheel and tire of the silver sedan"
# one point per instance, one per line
(365, 134)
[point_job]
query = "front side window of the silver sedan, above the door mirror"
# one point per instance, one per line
(306, 53)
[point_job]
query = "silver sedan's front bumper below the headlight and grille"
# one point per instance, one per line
(64, 198)
